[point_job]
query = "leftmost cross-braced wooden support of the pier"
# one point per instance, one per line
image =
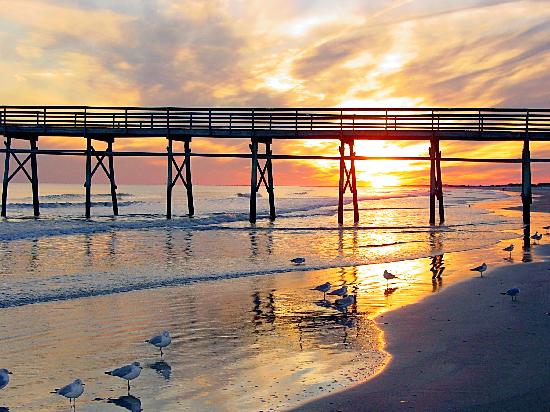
(32, 176)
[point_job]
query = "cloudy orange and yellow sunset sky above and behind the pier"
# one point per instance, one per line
(269, 53)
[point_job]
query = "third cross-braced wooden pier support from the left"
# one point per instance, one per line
(180, 168)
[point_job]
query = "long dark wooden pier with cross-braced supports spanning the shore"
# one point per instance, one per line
(261, 126)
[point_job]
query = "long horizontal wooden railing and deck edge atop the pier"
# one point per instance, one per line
(278, 123)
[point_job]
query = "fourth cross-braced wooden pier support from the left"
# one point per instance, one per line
(266, 181)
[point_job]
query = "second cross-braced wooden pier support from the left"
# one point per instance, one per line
(109, 171)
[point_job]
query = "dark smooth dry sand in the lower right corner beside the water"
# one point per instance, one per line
(469, 348)
